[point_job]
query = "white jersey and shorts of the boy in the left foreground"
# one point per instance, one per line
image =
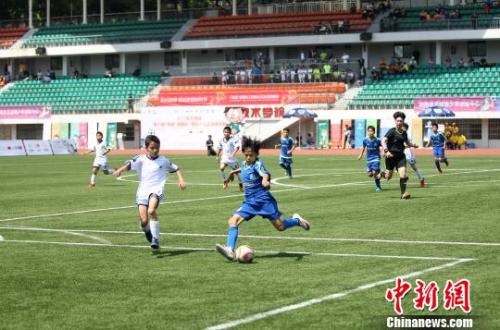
(152, 174)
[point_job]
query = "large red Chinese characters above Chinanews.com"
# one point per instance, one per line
(455, 295)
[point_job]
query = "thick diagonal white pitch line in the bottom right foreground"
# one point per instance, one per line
(315, 301)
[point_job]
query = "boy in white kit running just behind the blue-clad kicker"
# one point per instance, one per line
(228, 147)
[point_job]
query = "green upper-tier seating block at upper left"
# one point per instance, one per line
(69, 35)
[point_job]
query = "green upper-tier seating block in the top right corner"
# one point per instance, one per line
(470, 16)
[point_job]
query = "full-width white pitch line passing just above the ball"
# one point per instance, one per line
(285, 238)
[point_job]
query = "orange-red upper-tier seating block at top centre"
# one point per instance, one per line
(276, 24)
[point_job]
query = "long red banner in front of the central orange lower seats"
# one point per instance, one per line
(271, 97)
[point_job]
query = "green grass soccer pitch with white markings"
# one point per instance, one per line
(75, 258)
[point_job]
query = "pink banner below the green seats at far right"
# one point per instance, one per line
(456, 104)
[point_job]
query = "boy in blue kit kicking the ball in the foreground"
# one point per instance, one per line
(258, 200)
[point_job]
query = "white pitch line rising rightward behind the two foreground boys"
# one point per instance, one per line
(208, 198)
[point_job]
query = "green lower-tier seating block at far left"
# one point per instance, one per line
(85, 95)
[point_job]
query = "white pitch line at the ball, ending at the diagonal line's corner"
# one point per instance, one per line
(266, 252)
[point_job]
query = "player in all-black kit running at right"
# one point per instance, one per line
(394, 143)
